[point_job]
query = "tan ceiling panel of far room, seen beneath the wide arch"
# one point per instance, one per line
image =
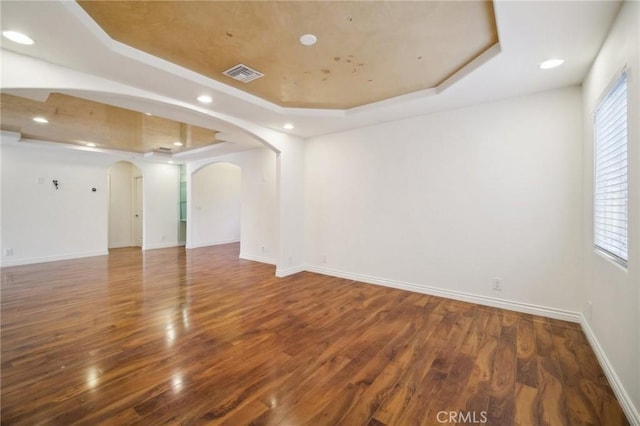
(78, 121)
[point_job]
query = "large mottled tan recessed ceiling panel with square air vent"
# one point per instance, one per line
(367, 51)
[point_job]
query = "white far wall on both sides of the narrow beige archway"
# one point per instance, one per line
(42, 224)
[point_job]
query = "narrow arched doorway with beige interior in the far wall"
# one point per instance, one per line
(126, 215)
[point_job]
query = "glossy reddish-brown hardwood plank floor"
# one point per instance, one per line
(201, 337)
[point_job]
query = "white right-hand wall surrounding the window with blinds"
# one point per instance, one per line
(614, 325)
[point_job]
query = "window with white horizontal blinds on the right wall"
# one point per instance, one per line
(610, 186)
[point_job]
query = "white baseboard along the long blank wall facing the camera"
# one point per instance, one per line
(456, 295)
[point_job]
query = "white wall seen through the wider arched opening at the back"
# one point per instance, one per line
(215, 199)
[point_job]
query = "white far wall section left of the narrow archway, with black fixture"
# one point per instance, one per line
(40, 223)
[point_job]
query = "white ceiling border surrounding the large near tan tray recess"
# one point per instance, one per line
(529, 32)
